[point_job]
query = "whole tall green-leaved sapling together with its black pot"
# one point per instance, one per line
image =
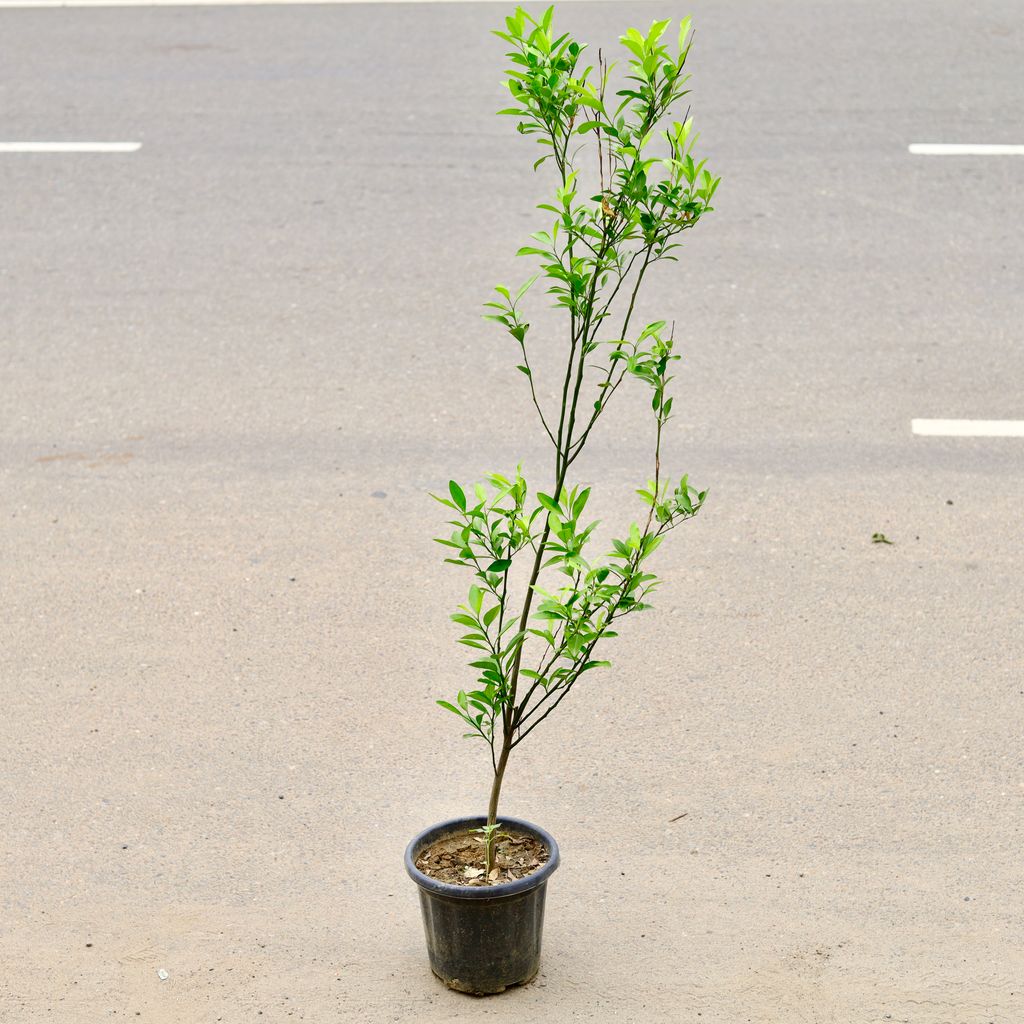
(627, 187)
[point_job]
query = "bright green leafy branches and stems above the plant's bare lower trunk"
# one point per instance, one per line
(628, 186)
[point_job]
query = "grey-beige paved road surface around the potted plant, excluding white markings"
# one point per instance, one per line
(234, 365)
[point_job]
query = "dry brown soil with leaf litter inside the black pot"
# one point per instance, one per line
(461, 860)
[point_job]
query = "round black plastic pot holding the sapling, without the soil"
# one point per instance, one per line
(483, 940)
